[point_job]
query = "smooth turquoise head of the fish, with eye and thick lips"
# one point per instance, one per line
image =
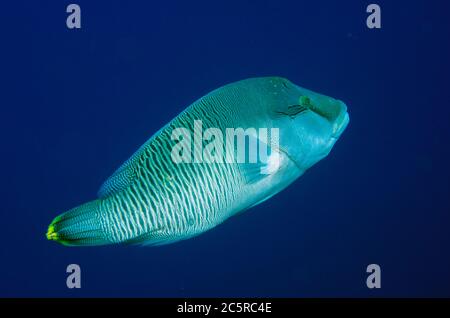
(309, 124)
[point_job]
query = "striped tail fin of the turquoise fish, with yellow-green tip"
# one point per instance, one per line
(78, 227)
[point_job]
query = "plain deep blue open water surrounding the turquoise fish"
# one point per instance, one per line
(76, 103)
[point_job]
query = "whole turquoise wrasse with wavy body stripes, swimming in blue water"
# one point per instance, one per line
(156, 198)
